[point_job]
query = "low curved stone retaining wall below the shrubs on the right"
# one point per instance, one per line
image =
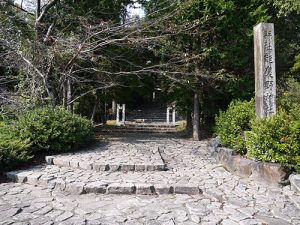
(270, 173)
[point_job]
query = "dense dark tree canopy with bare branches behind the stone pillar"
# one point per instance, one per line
(86, 52)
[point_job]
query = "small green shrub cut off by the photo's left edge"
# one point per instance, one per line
(13, 150)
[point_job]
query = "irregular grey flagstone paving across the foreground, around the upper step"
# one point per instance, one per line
(223, 198)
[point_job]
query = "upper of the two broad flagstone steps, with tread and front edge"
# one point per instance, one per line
(112, 157)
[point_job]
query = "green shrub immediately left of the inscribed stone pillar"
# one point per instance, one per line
(231, 124)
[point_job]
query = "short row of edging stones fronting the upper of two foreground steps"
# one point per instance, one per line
(51, 160)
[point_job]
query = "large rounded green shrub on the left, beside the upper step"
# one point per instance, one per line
(54, 130)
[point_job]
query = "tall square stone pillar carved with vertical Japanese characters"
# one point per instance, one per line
(265, 74)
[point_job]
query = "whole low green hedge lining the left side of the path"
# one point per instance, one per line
(42, 130)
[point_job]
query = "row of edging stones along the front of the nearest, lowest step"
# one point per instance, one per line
(99, 187)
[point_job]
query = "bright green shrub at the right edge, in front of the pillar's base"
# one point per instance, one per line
(276, 139)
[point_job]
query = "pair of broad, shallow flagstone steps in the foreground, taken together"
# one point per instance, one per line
(115, 167)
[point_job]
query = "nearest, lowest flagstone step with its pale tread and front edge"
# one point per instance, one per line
(76, 181)
